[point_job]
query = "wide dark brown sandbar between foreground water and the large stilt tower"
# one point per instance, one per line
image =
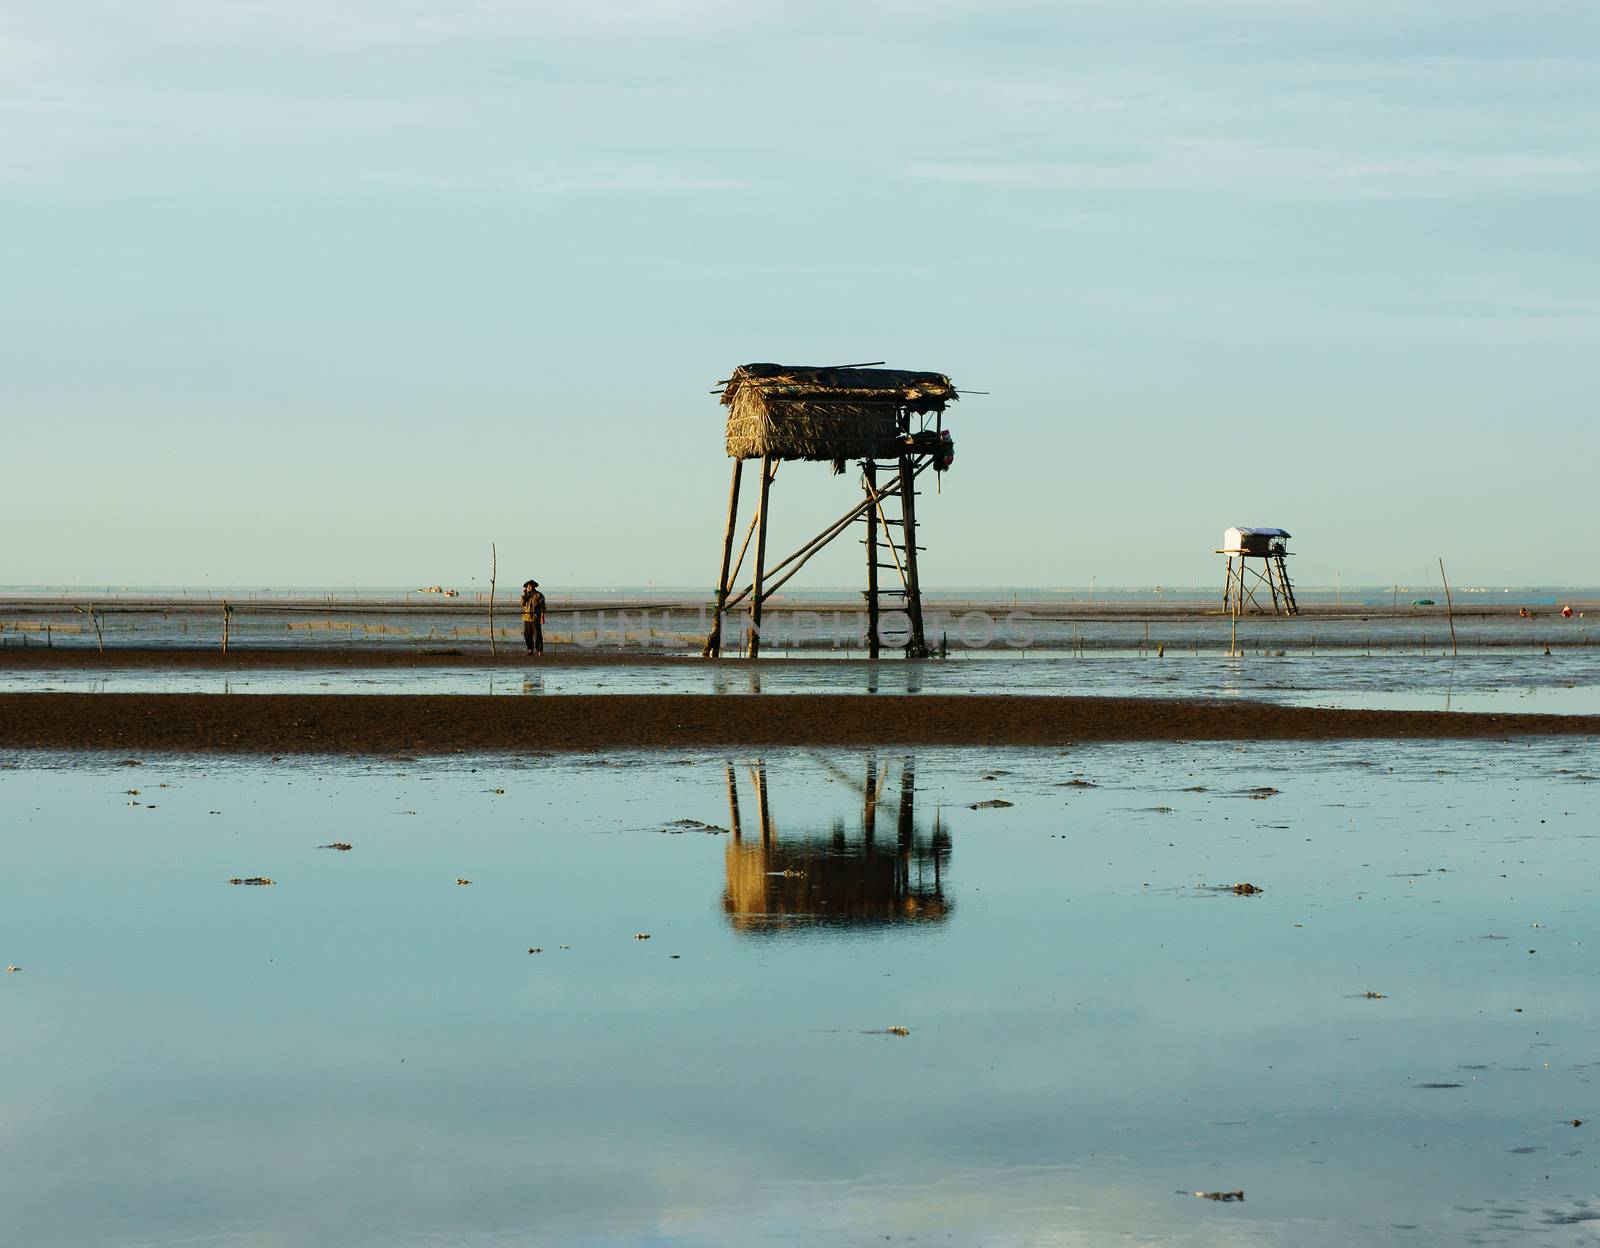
(449, 724)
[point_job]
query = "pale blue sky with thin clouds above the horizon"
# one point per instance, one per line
(340, 295)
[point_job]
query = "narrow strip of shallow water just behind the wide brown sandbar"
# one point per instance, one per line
(1566, 682)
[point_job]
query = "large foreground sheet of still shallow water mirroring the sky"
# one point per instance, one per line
(367, 1054)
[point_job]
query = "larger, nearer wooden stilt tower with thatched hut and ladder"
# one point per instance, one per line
(886, 420)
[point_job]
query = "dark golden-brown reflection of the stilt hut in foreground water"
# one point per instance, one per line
(890, 871)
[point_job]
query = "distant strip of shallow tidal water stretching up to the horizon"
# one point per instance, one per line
(988, 625)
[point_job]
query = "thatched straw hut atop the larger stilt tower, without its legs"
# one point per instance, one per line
(799, 412)
